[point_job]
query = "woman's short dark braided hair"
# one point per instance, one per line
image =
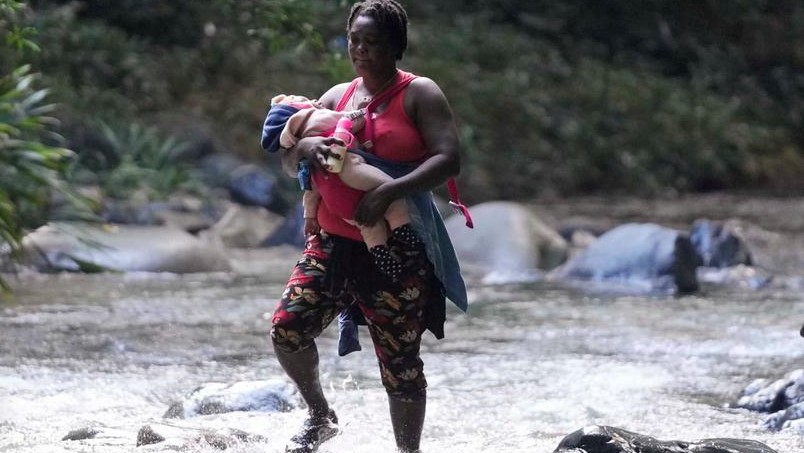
(391, 19)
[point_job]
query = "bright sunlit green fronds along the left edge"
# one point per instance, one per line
(32, 165)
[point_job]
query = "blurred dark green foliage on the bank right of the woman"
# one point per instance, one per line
(574, 97)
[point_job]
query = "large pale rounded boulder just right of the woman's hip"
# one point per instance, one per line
(508, 242)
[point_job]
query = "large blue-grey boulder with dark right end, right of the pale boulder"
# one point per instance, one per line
(639, 254)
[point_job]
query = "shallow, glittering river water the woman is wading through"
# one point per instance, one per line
(525, 366)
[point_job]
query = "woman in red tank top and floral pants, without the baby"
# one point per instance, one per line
(414, 126)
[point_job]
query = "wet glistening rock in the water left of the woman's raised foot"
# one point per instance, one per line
(218, 398)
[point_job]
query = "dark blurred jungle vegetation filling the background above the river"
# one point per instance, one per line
(553, 99)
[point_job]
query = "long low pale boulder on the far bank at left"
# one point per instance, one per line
(86, 247)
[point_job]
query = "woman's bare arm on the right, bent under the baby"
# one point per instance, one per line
(431, 113)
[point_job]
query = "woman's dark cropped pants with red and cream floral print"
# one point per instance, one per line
(336, 273)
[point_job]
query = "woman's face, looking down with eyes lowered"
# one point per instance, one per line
(369, 48)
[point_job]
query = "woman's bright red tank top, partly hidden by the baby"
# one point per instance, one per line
(394, 138)
